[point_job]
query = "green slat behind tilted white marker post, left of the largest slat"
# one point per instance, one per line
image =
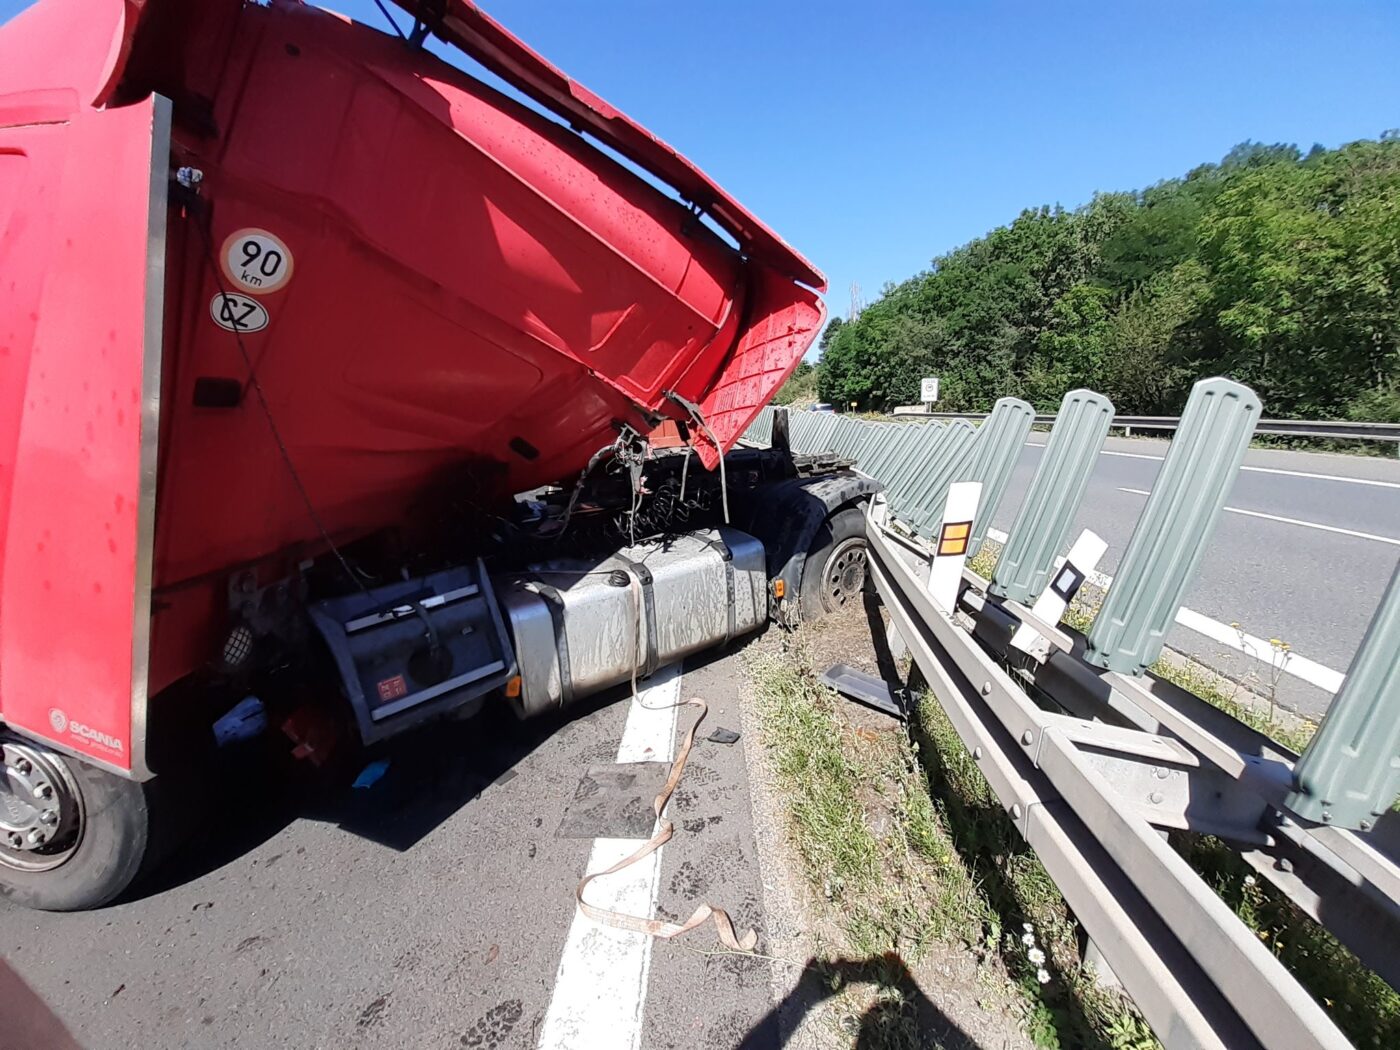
(1046, 514)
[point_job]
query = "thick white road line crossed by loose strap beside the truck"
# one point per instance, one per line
(601, 985)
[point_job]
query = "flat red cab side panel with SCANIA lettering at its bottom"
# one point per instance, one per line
(75, 226)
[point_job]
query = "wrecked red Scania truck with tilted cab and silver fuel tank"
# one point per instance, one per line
(332, 376)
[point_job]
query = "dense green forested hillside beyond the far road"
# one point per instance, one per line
(1273, 268)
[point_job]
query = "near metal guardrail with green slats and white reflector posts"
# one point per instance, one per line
(1093, 758)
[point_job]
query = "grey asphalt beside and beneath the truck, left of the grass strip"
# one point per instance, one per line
(435, 909)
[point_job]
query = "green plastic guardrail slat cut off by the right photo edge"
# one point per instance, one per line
(1350, 773)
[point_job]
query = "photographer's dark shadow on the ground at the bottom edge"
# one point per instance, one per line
(901, 1017)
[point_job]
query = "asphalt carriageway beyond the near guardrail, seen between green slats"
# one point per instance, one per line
(1304, 554)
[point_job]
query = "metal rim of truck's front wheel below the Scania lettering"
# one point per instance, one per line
(41, 808)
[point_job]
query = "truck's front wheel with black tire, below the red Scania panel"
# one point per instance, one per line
(96, 827)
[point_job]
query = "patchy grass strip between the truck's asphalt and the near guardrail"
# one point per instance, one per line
(904, 846)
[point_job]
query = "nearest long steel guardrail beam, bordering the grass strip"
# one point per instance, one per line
(1175, 989)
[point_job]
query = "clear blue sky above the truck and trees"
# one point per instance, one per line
(876, 136)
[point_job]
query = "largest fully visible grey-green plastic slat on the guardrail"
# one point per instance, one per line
(1177, 524)
